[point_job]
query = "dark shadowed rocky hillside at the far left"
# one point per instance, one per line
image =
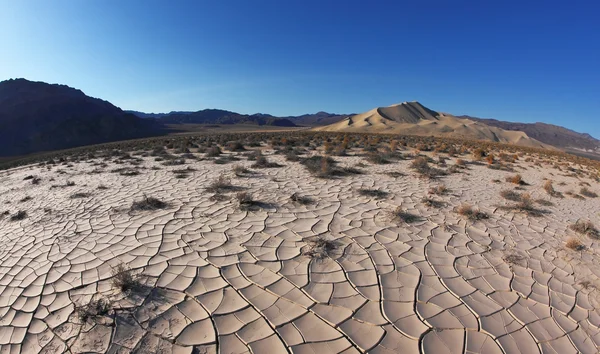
(36, 116)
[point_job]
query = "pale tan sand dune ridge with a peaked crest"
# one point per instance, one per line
(412, 118)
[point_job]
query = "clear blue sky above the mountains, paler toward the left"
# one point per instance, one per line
(516, 61)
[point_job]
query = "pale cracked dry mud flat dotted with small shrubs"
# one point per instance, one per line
(216, 279)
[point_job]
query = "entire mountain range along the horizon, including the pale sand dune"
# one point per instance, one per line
(36, 116)
